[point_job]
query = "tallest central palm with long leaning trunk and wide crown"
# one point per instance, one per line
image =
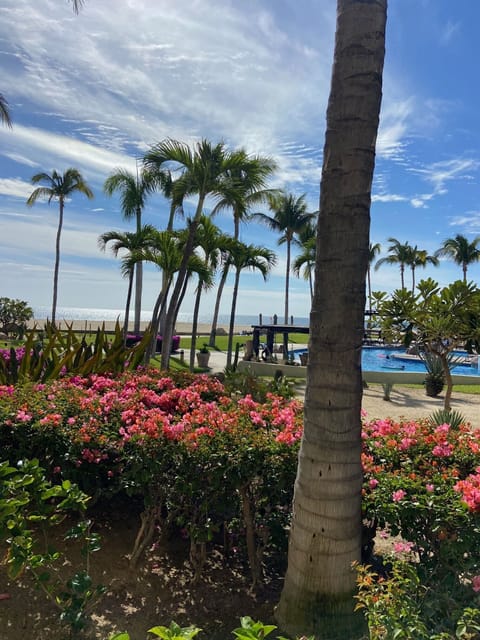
(204, 172)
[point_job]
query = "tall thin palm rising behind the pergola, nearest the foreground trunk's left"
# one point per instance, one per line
(289, 218)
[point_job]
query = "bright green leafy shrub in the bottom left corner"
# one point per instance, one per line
(30, 505)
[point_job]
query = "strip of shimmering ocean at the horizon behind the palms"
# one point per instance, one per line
(88, 314)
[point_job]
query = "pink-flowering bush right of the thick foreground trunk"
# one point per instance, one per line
(421, 484)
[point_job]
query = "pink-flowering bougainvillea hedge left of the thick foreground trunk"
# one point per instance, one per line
(199, 458)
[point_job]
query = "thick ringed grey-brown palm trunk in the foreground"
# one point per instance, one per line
(325, 538)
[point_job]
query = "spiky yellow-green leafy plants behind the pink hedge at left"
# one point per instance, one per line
(53, 353)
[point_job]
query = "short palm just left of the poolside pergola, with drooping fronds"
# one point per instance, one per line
(242, 256)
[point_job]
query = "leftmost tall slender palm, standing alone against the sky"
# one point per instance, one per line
(58, 187)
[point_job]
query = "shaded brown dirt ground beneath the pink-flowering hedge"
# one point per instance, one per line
(158, 591)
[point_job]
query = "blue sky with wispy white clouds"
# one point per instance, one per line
(94, 91)
